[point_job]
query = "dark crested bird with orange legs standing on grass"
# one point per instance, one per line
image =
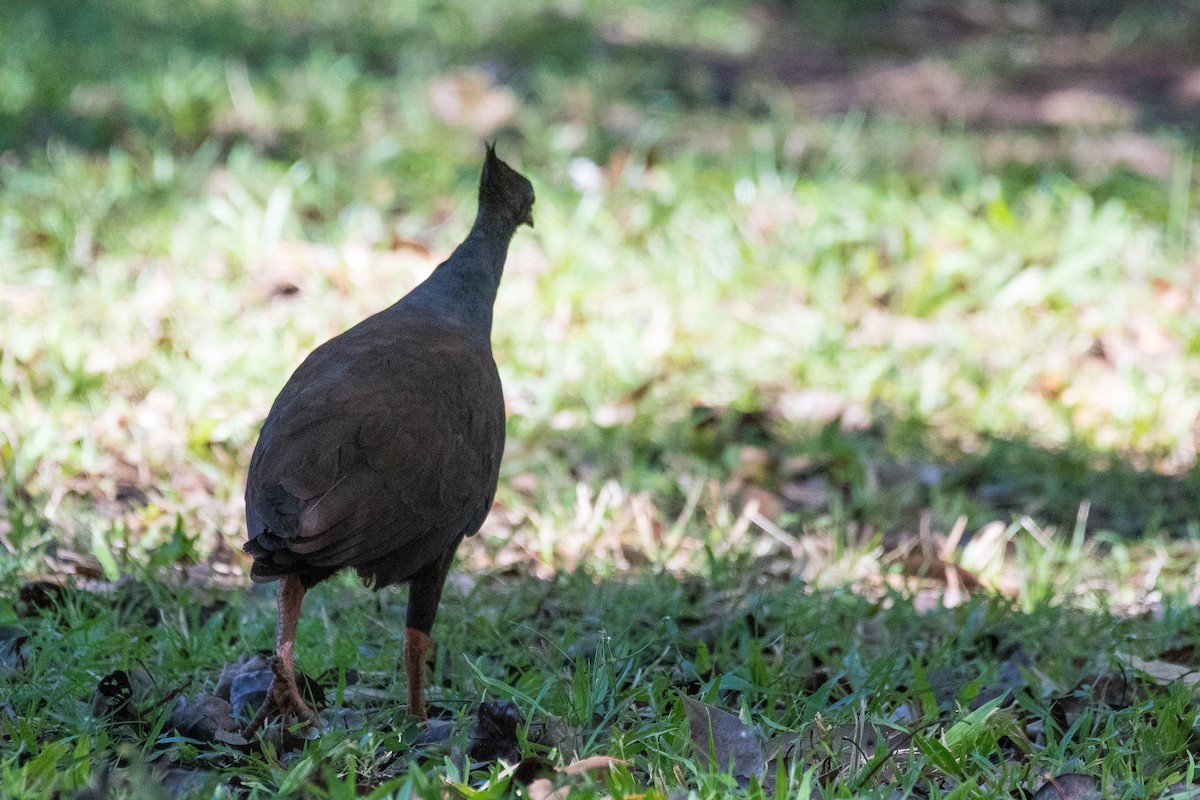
(382, 452)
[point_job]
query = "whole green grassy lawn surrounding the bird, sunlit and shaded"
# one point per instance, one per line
(826, 419)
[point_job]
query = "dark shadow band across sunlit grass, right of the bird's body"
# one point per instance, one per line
(885, 477)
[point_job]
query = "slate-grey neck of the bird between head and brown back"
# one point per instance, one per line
(463, 290)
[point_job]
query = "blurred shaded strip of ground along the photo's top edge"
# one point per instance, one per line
(992, 65)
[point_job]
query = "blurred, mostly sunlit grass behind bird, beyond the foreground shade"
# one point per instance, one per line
(861, 268)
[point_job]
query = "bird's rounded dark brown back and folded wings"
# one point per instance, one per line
(379, 440)
